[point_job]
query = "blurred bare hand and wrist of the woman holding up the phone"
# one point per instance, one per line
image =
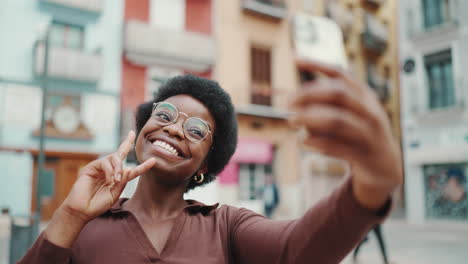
(344, 118)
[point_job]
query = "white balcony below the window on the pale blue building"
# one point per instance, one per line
(69, 64)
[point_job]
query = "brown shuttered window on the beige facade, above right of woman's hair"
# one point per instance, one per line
(260, 64)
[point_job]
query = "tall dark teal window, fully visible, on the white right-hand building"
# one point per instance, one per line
(440, 79)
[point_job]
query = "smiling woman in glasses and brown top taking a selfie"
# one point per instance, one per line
(187, 137)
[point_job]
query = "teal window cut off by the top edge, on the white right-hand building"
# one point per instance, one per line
(436, 12)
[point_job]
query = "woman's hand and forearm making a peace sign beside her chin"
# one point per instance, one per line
(97, 188)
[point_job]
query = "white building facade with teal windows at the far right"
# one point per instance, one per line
(433, 37)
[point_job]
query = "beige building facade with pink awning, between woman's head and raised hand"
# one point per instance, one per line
(256, 64)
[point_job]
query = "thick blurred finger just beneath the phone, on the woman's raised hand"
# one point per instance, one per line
(335, 95)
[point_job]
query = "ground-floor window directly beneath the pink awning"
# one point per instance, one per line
(252, 180)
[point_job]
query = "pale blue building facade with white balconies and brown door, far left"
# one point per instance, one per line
(82, 76)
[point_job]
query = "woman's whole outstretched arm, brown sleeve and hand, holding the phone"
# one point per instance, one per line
(344, 119)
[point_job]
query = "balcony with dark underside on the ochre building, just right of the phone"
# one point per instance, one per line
(375, 35)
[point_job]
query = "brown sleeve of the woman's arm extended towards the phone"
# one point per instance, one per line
(325, 234)
